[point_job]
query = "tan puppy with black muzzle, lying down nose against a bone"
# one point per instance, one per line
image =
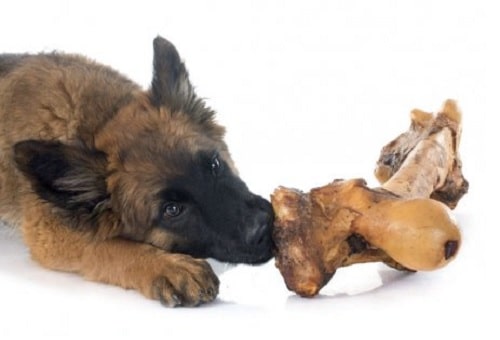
(122, 185)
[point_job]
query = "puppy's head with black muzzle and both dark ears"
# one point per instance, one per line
(158, 172)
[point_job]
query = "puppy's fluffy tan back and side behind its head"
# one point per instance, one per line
(51, 97)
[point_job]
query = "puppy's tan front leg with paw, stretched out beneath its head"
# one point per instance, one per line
(174, 279)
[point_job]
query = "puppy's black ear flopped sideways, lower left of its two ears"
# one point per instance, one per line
(70, 177)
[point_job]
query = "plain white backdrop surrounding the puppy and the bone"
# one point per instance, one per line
(309, 92)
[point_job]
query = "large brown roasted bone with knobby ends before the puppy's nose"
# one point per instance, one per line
(345, 222)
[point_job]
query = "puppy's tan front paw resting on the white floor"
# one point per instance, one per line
(185, 281)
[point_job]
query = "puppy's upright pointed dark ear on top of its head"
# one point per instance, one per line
(171, 86)
